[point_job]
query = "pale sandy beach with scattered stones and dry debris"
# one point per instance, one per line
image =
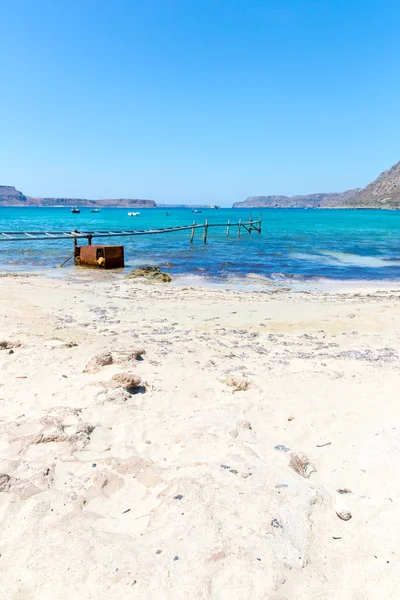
(224, 445)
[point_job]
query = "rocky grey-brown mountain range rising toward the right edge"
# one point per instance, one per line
(384, 192)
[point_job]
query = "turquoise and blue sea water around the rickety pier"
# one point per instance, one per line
(294, 243)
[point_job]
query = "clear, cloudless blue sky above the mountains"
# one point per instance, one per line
(197, 100)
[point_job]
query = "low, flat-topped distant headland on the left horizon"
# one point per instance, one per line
(9, 196)
